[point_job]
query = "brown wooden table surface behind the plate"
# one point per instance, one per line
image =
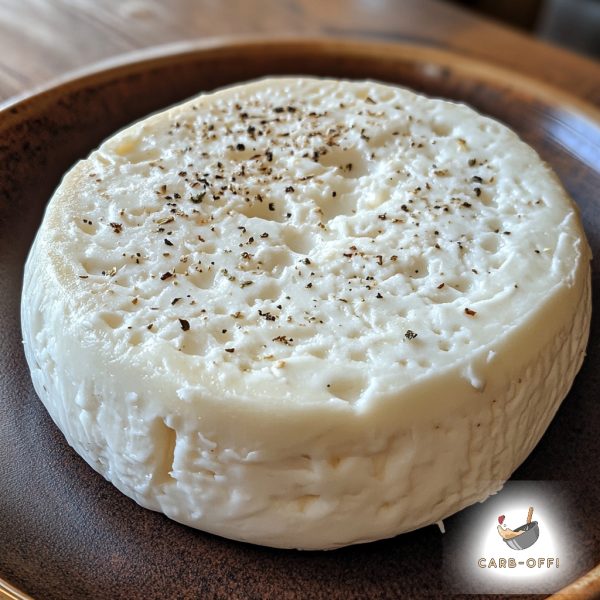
(43, 39)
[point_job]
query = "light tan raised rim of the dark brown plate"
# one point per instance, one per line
(17, 108)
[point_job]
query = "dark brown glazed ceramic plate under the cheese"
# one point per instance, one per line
(67, 533)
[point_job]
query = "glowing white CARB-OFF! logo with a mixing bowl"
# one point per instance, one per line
(519, 540)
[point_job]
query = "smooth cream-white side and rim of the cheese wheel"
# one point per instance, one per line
(297, 474)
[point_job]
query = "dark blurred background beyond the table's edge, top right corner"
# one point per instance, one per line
(574, 24)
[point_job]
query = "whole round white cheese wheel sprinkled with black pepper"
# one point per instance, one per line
(307, 313)
